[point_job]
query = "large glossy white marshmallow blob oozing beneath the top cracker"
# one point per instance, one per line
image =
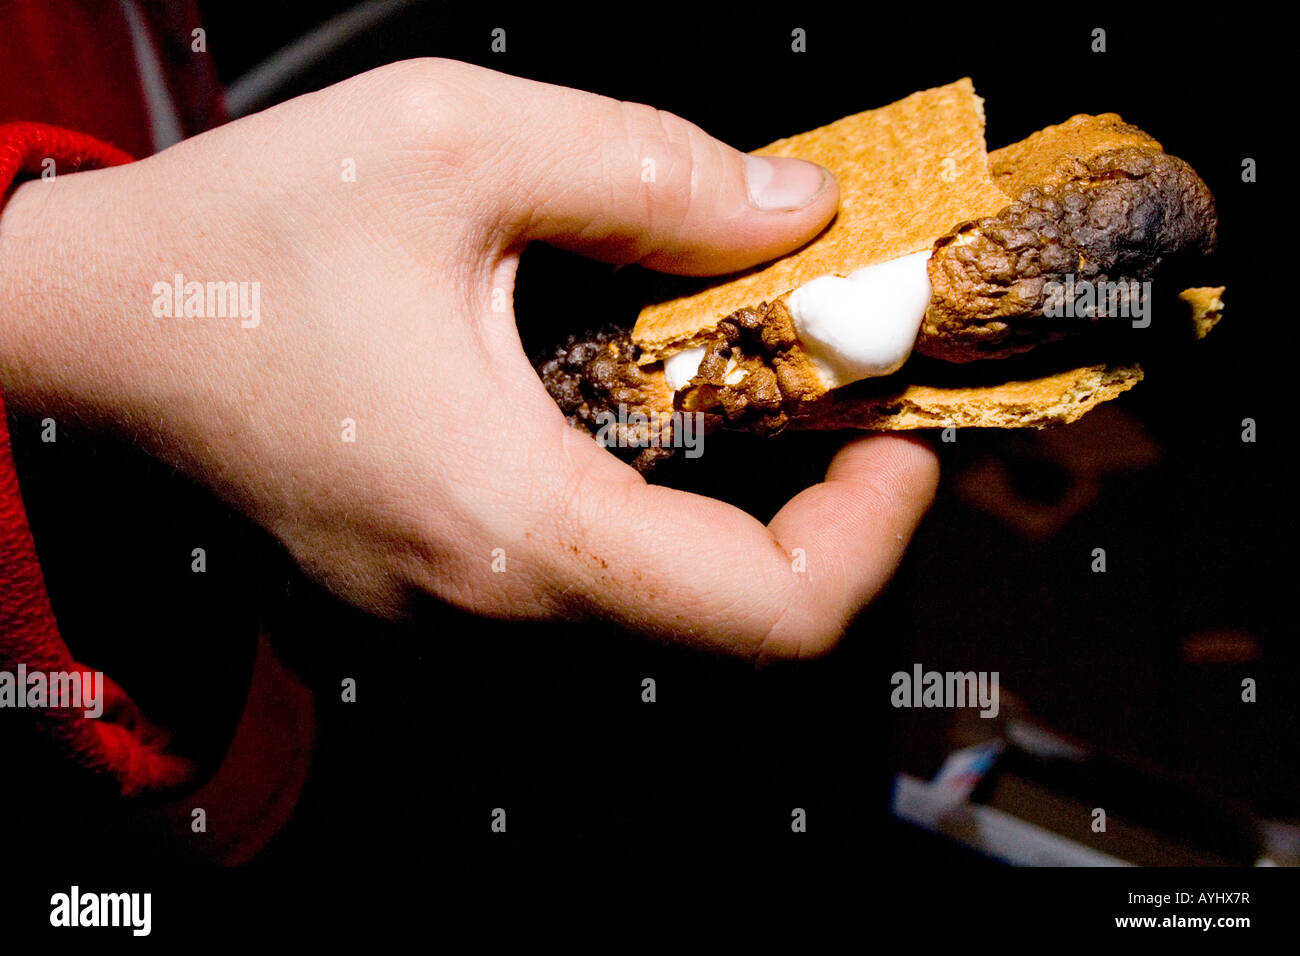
(863, 325)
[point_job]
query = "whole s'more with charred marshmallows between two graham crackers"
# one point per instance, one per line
(955, 288)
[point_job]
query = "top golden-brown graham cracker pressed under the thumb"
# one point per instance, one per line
(908, 174)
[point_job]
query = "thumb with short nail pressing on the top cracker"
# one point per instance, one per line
(626, 183)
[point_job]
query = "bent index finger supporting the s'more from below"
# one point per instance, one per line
(682, 566)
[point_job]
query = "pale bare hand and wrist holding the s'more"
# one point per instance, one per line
(378, 306)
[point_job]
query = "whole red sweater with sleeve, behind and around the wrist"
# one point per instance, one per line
(73, 67)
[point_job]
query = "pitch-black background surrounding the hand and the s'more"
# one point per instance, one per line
(460, 716)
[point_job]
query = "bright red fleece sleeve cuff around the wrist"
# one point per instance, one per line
(120, 745)
